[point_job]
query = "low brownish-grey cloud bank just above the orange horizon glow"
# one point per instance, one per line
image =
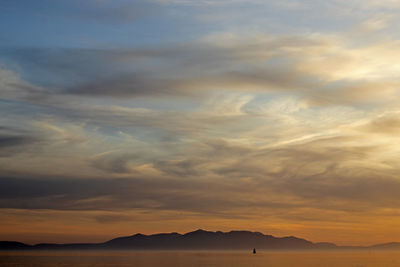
(328, 173)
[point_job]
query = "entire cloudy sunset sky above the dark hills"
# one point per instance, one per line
(120, 117)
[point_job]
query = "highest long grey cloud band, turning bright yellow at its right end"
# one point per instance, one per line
(324, 70)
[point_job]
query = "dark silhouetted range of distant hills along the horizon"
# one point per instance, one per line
(196, 240)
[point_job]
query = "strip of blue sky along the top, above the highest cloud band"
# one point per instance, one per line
(106, 24)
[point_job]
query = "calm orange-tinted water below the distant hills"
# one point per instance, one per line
(197, 259)
